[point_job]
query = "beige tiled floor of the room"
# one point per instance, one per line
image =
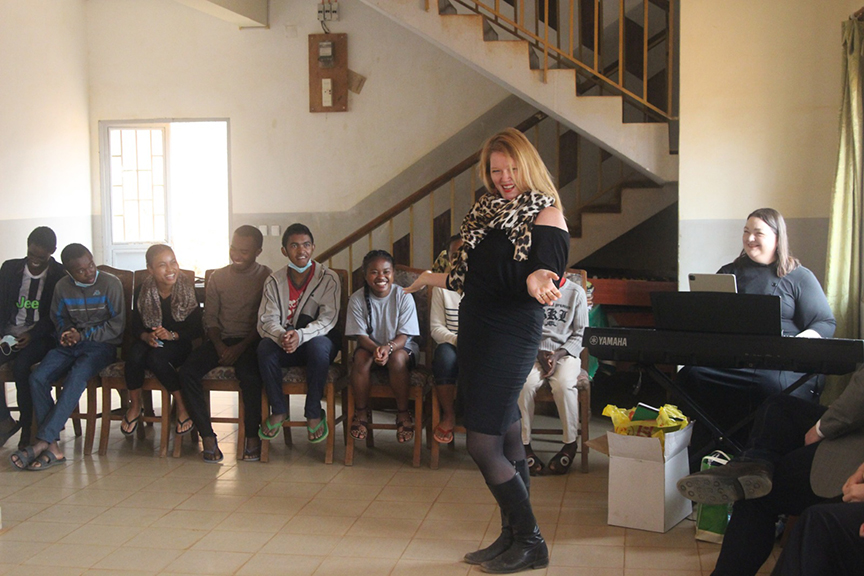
(131, 513)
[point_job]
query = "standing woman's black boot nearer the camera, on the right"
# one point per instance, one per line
(528, 549)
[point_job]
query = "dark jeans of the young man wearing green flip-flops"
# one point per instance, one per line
(317, 354)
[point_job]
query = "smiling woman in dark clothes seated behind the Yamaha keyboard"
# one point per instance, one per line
(765, 266)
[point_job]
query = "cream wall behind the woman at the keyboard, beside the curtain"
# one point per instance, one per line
(760, 95)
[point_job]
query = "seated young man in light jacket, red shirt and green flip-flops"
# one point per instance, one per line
(297, 323)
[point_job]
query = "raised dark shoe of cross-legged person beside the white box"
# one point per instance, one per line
(740, 479)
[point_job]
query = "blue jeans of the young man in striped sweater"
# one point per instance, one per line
(79, 363)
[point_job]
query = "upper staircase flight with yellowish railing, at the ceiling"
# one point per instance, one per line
(643, 146)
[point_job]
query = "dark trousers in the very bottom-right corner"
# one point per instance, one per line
(825, 542)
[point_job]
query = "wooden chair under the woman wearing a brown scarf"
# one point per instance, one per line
(114, 378)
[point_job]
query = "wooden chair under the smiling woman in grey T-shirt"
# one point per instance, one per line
(418, 387)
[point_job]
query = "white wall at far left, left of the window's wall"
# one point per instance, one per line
(45, 148)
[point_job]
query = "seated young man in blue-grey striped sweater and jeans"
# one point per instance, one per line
(88, 311)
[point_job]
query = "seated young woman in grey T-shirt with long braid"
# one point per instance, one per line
(383, 320)
